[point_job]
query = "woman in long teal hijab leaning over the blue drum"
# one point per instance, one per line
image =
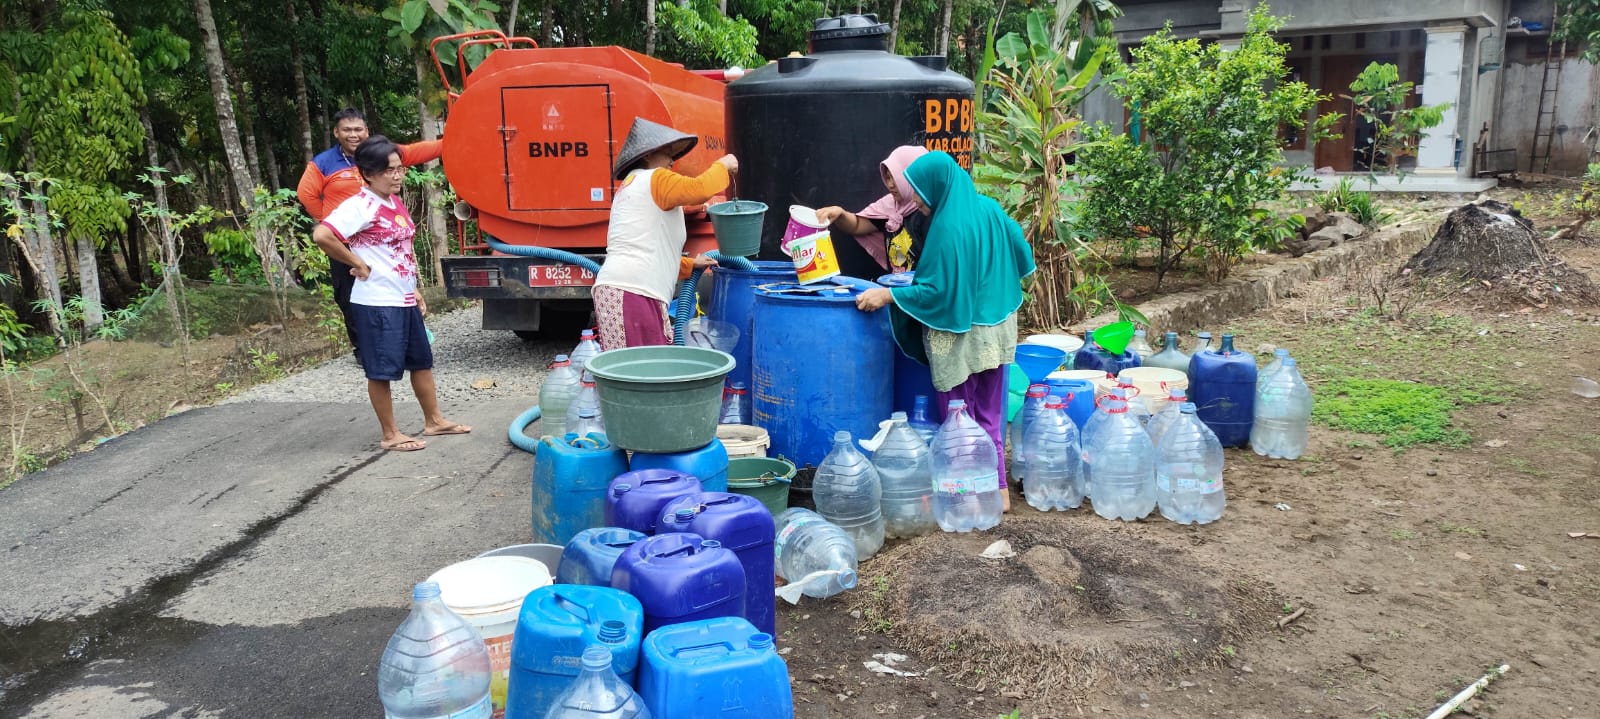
(959, 315)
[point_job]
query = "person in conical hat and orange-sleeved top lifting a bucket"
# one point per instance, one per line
(646, 241)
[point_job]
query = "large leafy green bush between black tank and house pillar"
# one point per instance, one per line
(1214, 123)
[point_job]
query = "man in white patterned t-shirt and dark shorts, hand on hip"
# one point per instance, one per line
(374, 233)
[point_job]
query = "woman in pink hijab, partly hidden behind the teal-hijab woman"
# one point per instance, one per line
(890, 230)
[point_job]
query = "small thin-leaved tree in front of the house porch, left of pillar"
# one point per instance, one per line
(1378, 97)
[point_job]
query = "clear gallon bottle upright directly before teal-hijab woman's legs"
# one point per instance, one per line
(966, 475)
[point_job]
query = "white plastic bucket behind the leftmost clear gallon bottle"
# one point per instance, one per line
(489, 593)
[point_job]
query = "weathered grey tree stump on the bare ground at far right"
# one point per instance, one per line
(1494, 246)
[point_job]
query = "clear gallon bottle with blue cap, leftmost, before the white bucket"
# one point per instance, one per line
(436, 664)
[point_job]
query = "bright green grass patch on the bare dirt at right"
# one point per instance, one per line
(1402, 414)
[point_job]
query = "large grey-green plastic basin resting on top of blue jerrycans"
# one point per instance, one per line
(660, 400)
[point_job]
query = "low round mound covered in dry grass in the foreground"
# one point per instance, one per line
(1078, 605)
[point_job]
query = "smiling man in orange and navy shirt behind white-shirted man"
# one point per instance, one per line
(332, 179)
